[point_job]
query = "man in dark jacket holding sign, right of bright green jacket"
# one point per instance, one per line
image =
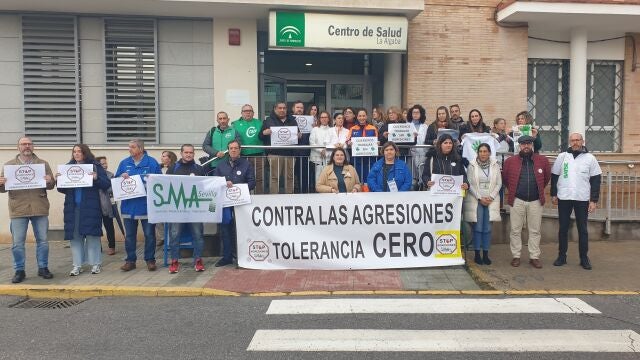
(281, 161)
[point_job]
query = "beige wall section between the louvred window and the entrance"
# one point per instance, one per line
(235, 68)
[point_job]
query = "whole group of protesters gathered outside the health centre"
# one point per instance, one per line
(574, 177)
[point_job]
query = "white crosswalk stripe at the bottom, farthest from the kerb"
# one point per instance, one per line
(543, 340)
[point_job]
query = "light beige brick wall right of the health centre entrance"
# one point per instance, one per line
(457, 54)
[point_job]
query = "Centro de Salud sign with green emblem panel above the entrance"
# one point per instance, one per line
(311, 31)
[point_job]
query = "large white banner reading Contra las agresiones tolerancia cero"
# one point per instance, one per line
(349, 231)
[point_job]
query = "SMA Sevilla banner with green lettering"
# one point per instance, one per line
(185, 199)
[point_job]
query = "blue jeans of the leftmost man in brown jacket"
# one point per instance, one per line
(18, 227)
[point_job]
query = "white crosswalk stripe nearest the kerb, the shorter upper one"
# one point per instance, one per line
(431, 306)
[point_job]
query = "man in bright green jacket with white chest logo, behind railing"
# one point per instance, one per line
(248, 129)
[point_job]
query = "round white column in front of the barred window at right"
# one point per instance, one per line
(578, 81)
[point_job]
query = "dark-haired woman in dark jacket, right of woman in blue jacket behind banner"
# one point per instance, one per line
(444, 160)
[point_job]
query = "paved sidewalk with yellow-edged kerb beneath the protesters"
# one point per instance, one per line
(615, 269)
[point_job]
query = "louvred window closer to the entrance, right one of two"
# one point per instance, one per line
(131, 79)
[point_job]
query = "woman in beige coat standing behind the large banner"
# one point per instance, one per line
(339, 176)
